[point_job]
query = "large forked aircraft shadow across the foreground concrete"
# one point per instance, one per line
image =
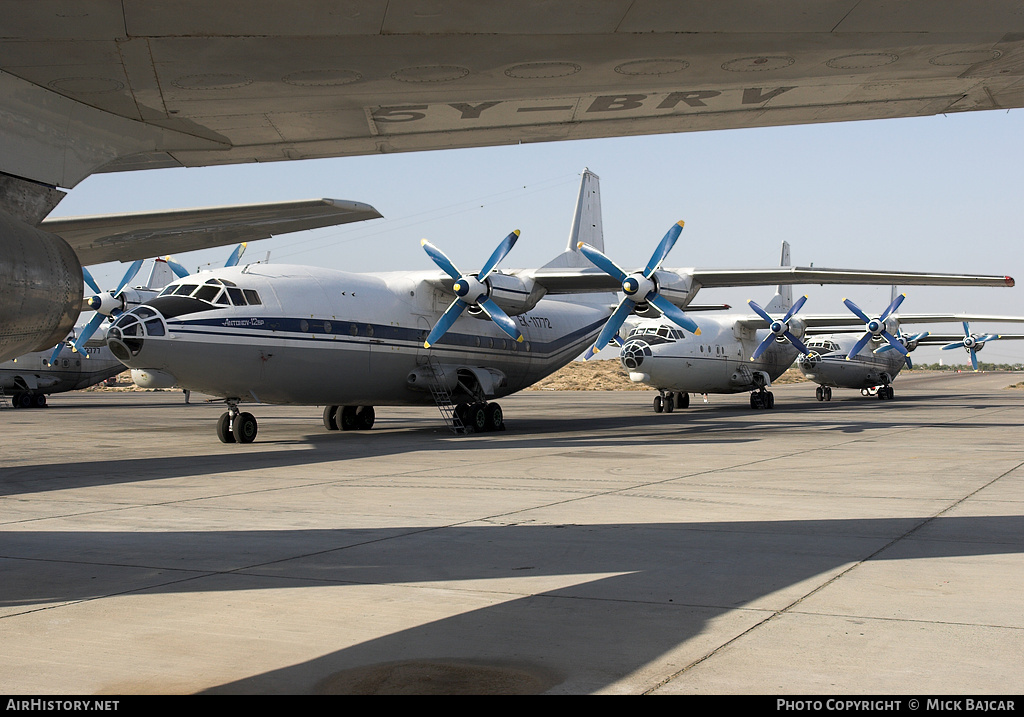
(658, 586)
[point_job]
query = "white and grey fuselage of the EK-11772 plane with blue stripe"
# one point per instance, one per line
(323, 338)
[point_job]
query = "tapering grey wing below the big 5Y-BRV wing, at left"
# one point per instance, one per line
(140, 236)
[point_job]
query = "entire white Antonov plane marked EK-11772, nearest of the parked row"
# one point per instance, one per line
(352, 342)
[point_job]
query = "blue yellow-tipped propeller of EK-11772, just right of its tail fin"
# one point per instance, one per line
(639, 287)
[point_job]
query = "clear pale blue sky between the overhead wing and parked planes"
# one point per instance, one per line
(938, 194)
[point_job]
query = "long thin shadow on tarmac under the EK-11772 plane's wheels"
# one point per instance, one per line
(730, 424)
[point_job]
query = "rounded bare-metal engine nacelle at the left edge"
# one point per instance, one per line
(40, 289)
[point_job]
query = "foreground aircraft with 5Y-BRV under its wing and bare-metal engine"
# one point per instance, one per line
(105, 87)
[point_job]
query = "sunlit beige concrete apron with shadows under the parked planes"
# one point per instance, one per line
(852, 547)
